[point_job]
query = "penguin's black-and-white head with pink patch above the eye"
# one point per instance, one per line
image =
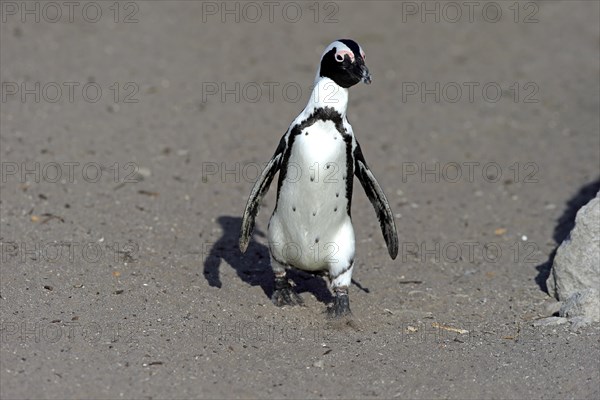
(343, 62)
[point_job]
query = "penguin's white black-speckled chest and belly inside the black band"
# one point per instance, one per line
(311, 215)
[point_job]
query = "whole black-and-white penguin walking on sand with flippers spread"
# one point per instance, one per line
(317, 158)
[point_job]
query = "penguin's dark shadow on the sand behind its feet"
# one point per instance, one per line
(253, 267)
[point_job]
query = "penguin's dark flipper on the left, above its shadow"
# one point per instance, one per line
(258, 191)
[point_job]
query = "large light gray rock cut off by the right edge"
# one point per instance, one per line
(577, 263)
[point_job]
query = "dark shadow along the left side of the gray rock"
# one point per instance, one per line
(563, 228)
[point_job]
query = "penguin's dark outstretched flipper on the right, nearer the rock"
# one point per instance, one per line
(379, 201)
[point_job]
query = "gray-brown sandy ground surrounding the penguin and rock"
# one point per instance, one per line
(125, 173)
